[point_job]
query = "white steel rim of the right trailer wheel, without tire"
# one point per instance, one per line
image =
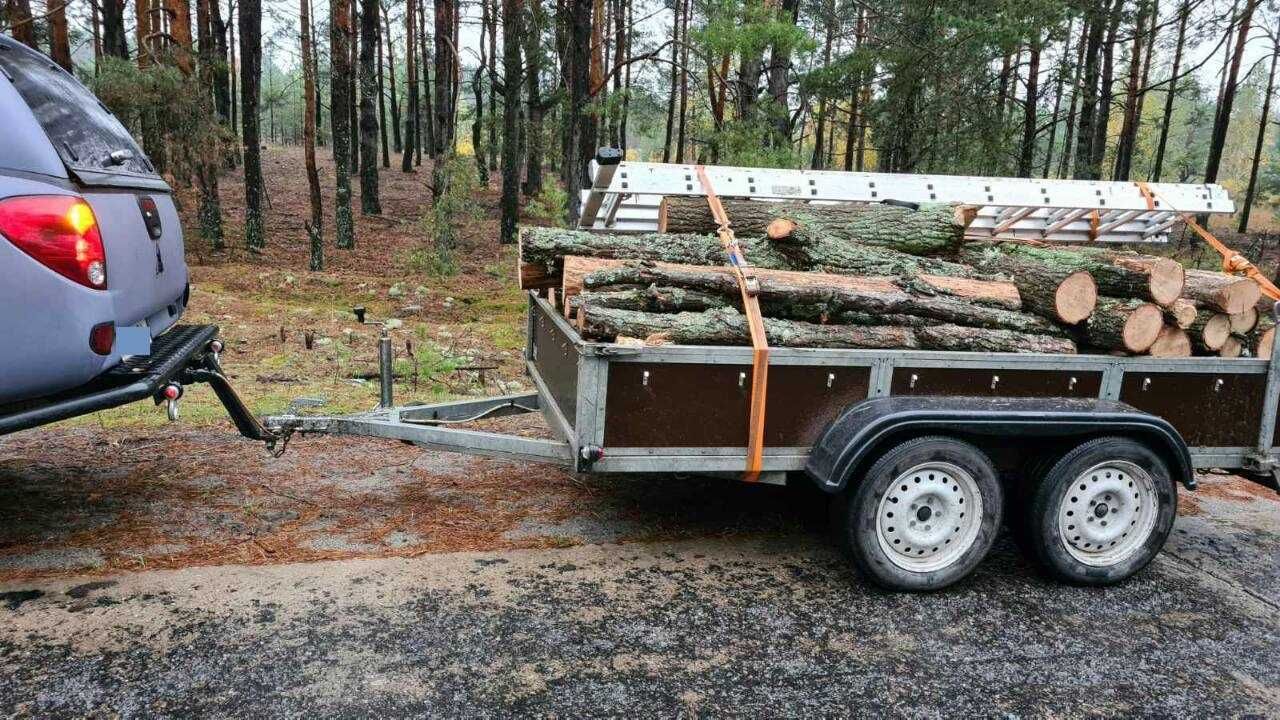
(1108, 513)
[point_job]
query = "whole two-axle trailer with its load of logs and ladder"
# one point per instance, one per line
(941, 366)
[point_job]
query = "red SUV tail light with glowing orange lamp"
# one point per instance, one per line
(61, 233)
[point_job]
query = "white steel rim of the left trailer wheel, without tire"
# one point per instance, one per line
(930, 517)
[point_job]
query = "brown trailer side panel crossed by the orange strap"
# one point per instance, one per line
(697, 405)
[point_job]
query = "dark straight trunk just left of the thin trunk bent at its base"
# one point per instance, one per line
(250, 21)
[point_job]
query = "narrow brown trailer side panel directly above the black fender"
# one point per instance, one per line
(996, 384)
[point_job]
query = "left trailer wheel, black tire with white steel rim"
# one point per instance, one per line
(925, 516)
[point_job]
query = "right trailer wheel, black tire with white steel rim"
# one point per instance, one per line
(1103, 512)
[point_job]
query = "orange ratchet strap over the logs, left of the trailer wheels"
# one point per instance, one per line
(751, 288)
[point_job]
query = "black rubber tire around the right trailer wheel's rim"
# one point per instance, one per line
(1048, 545)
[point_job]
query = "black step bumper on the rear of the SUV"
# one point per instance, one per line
(136, 379)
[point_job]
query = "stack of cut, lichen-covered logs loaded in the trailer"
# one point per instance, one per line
(886, 277)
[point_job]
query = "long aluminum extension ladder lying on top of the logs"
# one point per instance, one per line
(625, 198)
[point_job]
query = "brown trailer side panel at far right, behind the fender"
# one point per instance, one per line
(1205, 413)
